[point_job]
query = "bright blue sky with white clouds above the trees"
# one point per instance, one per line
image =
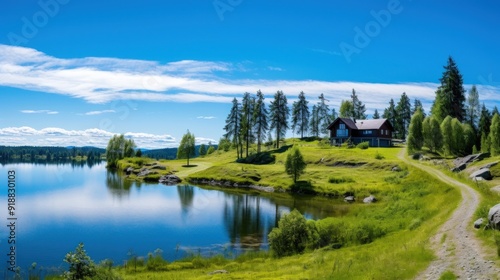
(76, 72)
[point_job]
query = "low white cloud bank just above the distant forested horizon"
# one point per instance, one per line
(54, 136)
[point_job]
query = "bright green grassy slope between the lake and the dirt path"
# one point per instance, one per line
(411, 206)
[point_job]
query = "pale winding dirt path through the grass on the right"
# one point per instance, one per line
(455, 245)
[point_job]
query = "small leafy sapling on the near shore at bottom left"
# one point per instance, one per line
(80, 264)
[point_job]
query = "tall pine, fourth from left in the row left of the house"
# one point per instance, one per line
(279, 115)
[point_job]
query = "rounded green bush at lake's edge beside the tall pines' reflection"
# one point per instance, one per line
(291, 236)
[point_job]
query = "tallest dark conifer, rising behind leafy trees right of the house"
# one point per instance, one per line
(450, 95)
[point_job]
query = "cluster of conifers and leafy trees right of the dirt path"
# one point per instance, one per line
(458, 124)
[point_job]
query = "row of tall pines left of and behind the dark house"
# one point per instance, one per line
(251, 122)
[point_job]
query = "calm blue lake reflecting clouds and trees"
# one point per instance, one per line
(59, 206)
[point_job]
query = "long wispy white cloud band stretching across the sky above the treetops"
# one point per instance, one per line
(102, 80)
